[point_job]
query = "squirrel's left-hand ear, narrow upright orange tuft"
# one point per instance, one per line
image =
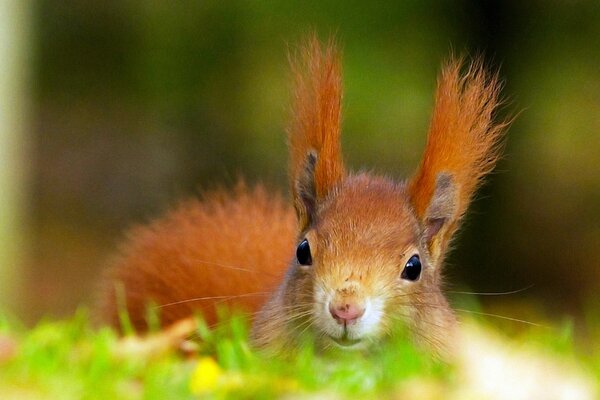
(314, 134)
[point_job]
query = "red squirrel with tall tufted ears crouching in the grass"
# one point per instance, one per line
(352, 254)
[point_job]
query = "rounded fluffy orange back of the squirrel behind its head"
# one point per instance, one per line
(228, 246)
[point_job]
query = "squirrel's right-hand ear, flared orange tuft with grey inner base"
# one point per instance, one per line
(462, 147)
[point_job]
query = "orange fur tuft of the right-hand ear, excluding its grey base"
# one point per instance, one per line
(463, 139)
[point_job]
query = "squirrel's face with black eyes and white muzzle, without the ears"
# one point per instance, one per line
(367, 258)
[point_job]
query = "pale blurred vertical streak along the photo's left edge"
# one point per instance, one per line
(15, 24)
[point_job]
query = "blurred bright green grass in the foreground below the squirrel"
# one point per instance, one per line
(70, 360)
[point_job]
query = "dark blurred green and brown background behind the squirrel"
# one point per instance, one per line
(121, 108)
